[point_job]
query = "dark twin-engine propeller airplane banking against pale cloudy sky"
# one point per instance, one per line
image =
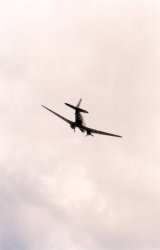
(79, 122)
